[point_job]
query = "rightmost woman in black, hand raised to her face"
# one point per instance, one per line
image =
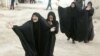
(90, 10)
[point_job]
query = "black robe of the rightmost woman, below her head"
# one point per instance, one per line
(90, 22)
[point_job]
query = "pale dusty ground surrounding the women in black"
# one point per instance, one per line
(11, 46)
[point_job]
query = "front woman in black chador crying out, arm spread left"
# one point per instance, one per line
(34, 35)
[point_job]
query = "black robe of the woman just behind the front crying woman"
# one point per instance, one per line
(53, 37)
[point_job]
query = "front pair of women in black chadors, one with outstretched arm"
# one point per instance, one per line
(38, 35)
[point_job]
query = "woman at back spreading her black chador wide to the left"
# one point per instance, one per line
(68, 21)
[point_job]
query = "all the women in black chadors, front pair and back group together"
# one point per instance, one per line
(38, 35)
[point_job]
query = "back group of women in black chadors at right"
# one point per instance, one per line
(77, 23)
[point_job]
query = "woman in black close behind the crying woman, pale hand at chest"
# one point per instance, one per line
(51, 19)
